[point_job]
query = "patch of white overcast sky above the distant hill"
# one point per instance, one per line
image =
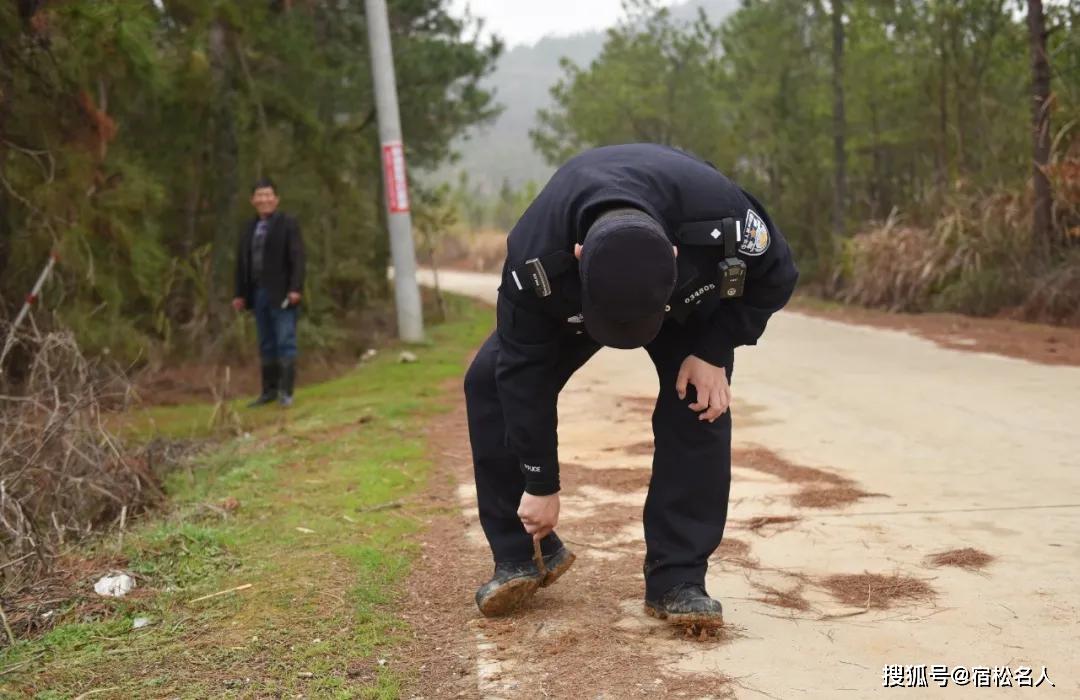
(528, 21)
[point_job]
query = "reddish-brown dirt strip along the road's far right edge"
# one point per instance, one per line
(1034, 342)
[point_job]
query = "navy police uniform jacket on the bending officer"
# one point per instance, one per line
(678, 191)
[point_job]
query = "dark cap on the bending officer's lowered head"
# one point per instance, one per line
(628, 275)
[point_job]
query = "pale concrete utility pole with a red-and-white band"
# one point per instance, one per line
(402, 252)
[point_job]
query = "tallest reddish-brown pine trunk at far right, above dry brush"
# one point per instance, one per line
(1041, 124)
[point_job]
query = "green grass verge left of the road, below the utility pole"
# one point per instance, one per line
(326, 572)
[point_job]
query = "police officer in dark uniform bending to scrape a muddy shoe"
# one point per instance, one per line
(627, 247)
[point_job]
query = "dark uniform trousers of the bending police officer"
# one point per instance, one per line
(687, 505)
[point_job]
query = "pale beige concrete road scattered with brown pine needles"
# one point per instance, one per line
(962, 450)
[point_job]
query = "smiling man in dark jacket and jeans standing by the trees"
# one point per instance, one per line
(269, 282)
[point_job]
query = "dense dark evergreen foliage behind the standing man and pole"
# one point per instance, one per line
(131, 132)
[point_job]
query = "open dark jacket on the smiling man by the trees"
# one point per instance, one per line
(282, 261)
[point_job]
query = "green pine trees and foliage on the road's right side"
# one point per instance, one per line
(917, 110)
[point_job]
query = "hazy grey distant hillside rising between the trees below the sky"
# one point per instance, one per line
(522, 82)
